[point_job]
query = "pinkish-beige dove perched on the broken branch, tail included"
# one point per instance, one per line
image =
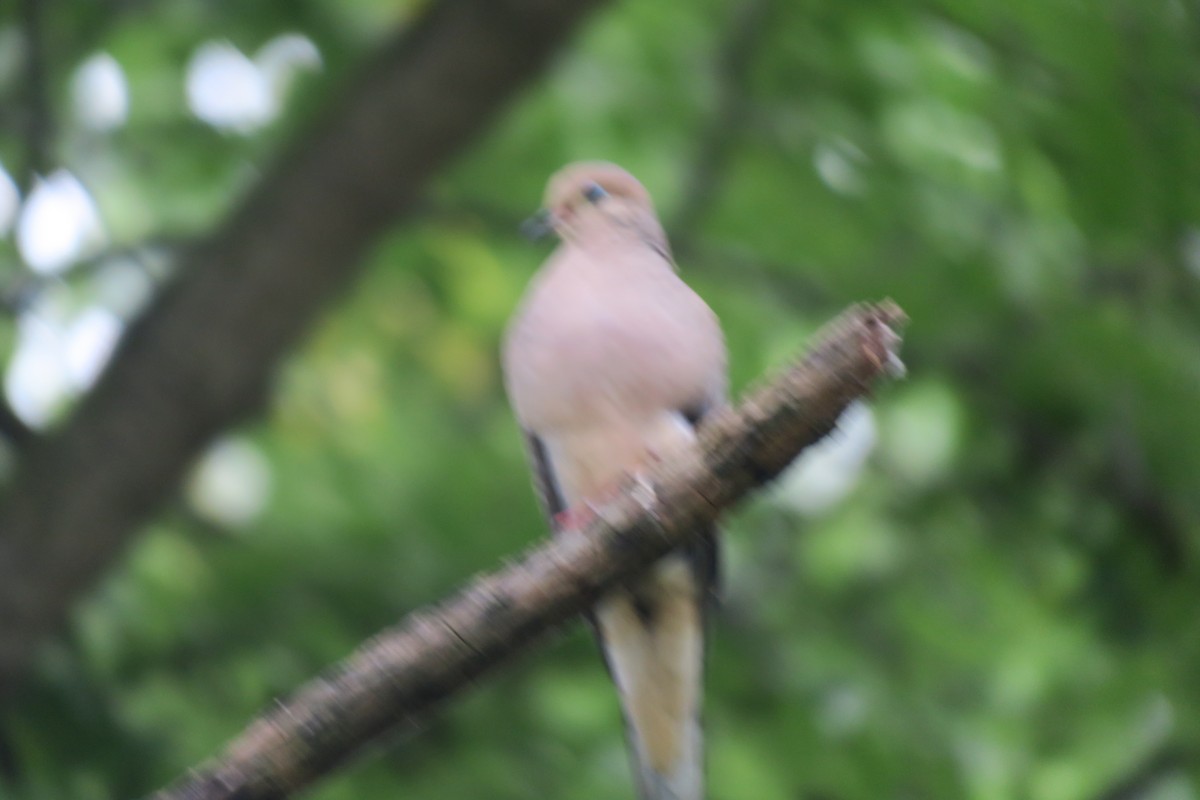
(611, 362)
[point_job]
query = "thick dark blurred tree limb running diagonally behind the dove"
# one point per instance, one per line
(202, 358)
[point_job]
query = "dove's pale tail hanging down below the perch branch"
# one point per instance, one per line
(653, 636)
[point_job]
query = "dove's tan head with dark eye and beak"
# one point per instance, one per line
(593, 196)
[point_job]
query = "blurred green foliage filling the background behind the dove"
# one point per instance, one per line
(1003, 606)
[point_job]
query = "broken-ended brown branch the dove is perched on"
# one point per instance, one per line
(407, 672)
